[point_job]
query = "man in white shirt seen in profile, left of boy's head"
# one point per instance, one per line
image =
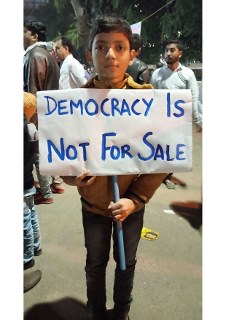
(72, 73)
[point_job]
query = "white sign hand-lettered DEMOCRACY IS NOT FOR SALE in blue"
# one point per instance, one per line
(114, 132)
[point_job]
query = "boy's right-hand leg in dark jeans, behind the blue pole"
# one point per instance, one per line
(123, 286)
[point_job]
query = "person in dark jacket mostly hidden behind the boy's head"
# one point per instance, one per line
(138, 70)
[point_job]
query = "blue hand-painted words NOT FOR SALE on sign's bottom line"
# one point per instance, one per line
(115, 152)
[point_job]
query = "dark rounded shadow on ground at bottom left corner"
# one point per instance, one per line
(64, 309)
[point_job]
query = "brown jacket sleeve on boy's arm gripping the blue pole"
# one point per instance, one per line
(144, 187)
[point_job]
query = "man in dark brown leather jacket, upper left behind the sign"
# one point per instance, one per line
(41, 72)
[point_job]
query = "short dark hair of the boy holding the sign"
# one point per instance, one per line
(108, 24)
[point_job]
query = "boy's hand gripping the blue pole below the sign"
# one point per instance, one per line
(121, 209)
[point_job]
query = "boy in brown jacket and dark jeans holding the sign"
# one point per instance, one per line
(110, 52)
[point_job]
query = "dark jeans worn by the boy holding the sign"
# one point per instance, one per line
(98, 231)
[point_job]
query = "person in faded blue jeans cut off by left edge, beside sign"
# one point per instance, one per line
(32, 238)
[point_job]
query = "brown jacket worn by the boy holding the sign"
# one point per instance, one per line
(138, 187)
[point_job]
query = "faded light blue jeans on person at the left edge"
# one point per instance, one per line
(32, 239)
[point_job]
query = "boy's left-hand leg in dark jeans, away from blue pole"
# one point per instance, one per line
(97, 232)
